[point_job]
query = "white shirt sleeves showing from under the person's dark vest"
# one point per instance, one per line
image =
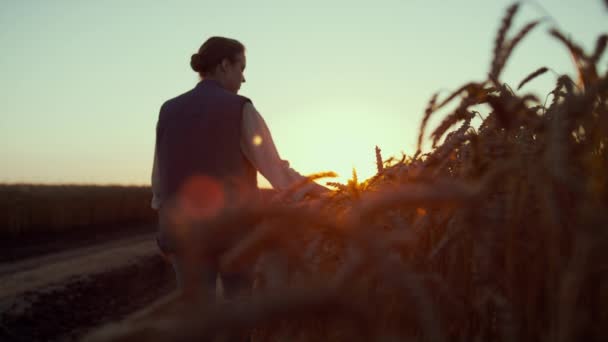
(257, 146)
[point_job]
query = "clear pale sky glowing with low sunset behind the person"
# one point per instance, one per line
(81, 82)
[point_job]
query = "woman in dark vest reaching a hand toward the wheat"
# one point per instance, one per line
(210, 143)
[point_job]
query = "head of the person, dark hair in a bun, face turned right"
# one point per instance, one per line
(222, 59)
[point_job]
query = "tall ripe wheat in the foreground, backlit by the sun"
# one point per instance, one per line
(500, 233)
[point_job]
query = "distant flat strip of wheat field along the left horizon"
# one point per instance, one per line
(32, 209)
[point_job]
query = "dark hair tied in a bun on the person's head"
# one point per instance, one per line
(213, 51)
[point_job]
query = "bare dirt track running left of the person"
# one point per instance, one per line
(60, 296)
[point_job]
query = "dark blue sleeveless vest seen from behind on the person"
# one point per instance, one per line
(198, 136)
